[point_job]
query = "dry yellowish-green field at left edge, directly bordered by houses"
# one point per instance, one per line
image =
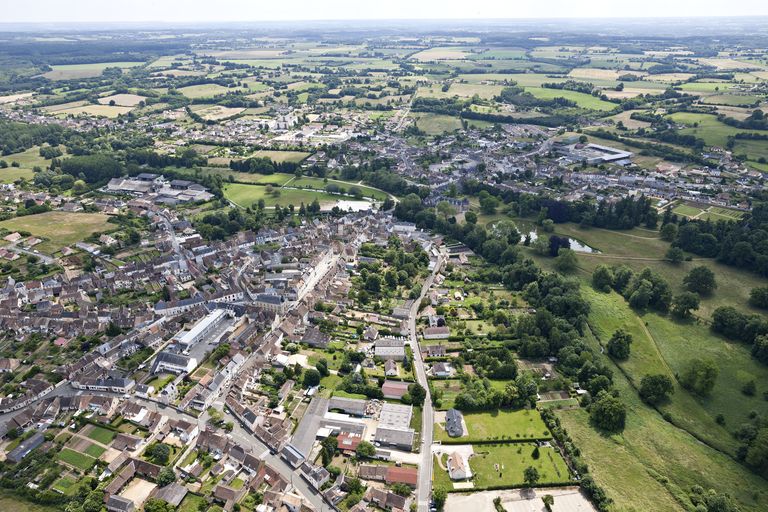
(60, 228)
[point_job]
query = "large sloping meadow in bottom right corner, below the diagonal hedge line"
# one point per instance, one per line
(654, 460)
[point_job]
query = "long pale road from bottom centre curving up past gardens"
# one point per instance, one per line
(424, 489)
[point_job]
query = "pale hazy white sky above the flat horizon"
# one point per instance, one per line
(269, 10)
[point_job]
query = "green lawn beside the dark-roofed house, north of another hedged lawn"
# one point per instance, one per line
(498, 425)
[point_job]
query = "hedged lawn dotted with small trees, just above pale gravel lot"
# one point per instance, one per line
(512, 459)
